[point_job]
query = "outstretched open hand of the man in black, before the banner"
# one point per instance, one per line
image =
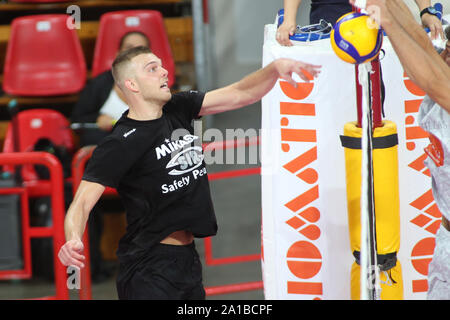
(286, 67)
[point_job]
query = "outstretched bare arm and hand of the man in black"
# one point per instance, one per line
(254, 86)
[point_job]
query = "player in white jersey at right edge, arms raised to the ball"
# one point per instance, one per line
(431, 72)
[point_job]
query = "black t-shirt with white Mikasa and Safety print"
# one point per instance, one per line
(161, 178)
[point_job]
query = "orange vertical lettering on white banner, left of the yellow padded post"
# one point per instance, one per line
(303, 258)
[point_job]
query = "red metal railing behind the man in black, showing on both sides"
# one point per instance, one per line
(78, 165)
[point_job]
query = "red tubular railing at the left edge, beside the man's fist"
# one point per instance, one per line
(55, 190)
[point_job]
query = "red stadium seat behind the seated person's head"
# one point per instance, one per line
(114, 25)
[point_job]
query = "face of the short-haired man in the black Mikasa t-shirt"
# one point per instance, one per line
(151, 78)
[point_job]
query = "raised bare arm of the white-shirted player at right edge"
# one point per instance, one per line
(425, 67)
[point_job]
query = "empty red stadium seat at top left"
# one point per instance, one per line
(44, 57)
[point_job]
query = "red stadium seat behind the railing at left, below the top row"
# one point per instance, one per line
(35, 124)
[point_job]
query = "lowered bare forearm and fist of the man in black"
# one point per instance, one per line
(85, 198)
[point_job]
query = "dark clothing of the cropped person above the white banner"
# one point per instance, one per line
(329, 10)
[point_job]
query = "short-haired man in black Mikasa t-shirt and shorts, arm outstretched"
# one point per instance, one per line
(160, 178)
